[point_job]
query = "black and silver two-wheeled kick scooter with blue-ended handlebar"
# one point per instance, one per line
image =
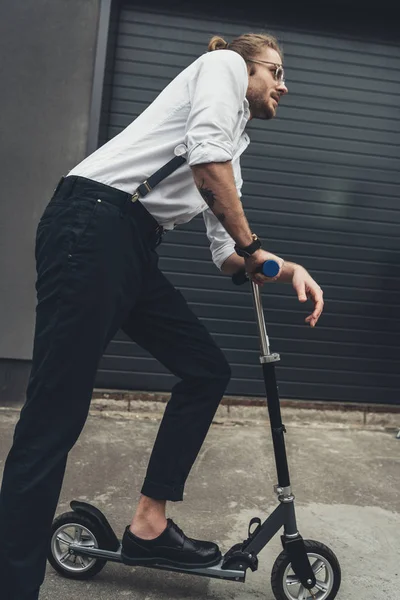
(82, 541)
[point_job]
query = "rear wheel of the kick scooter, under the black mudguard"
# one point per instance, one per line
(79, 530)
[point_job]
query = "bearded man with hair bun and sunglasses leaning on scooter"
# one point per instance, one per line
(97, 272)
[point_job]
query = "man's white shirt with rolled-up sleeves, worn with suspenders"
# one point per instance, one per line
(202, 115)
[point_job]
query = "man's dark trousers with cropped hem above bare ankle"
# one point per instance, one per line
(97, 272)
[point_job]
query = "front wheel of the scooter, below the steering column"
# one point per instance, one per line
(287, 586)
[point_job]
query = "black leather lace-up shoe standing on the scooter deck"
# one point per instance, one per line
(171, 547)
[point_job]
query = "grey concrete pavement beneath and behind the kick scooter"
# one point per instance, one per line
(346, 481)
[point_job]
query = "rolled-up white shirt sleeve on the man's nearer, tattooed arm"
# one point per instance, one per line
(216, 100)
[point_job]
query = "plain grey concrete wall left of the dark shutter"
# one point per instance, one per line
(46, 75)
